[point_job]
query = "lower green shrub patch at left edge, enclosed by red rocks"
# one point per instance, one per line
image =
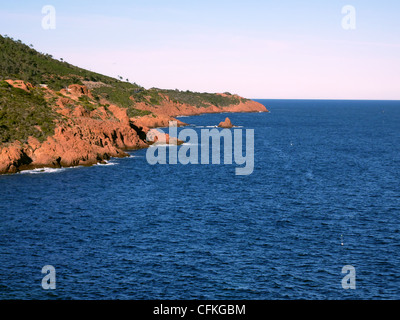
(24, 114)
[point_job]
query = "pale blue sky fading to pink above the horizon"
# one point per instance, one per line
(283, 49)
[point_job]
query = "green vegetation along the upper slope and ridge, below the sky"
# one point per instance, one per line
(21, 62)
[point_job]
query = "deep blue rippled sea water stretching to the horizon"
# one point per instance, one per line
(324, 194)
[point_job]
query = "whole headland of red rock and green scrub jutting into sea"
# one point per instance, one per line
(54, 114)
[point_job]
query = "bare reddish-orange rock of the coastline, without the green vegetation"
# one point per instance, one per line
(86, 138)
